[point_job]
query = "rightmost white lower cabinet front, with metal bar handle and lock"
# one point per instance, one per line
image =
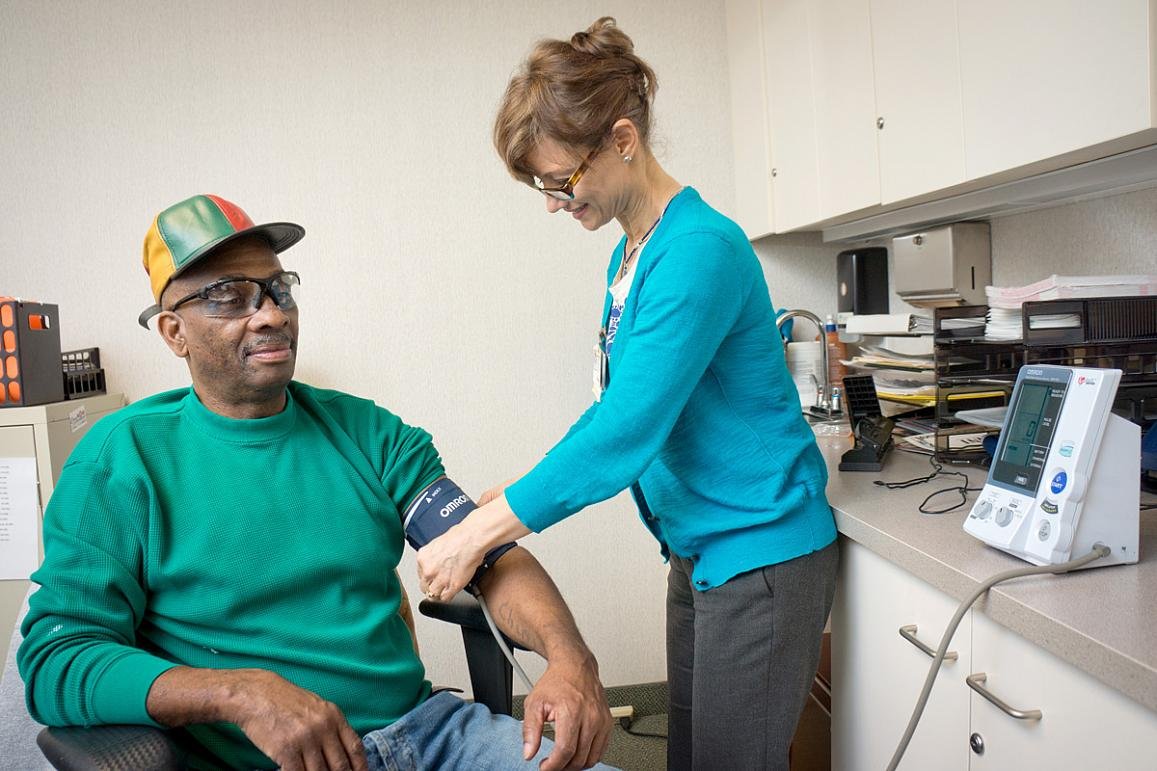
(1081, 718)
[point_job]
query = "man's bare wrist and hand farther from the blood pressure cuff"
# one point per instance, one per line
(296, 729)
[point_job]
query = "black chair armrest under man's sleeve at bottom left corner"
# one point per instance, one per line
(109, 748)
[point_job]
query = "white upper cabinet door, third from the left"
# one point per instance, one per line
(845, 107)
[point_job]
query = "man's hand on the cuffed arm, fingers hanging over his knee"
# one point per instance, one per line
(571, 695)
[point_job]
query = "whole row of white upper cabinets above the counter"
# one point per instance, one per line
(848, 109)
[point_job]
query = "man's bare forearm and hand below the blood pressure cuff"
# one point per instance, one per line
(528, 607)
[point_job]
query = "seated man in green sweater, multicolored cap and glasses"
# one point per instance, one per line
(223, 557)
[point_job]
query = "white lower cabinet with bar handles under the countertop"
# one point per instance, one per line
(878, 675)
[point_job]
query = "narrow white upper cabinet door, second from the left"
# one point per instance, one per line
(792, 113)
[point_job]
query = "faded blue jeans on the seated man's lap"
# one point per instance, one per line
(447, 733)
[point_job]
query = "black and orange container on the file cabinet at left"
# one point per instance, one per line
(30, 354)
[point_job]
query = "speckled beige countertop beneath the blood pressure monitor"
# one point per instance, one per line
(1102, 621)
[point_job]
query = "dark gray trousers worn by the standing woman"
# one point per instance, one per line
(741, 659)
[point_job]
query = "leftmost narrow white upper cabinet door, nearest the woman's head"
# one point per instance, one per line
(750, 134)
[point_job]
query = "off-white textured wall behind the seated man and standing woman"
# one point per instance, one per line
(433, 283)
